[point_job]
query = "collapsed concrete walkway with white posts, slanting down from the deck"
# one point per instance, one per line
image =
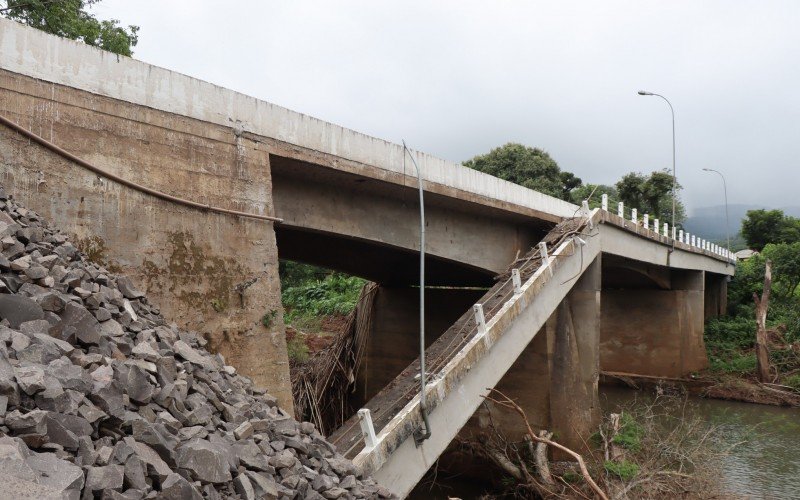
(470, 357)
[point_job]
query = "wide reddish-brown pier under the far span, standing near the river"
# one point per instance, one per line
(649, 331)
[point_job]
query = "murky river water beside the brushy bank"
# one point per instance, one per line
(767, 463)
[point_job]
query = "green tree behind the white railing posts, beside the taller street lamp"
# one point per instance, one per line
(651, 194)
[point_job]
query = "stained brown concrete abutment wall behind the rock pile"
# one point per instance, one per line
(187, 260)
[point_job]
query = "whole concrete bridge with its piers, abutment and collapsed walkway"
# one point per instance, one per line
(622, 298)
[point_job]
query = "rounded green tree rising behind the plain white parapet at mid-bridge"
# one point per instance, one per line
(529, 167)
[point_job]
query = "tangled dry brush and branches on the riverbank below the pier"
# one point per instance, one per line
(656, 448)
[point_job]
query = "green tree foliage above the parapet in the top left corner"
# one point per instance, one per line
(70, 19)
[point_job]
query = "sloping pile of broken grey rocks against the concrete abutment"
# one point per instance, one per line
(100, 398)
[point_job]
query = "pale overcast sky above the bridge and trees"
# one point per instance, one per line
(456, 79)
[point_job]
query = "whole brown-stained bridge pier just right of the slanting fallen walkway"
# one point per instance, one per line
(555, 379)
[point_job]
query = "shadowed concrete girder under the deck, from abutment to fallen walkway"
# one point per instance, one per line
(312, 198)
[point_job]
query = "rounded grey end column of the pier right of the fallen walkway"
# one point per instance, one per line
(574, 402)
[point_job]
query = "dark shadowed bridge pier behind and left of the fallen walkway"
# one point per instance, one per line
(393, 343)
